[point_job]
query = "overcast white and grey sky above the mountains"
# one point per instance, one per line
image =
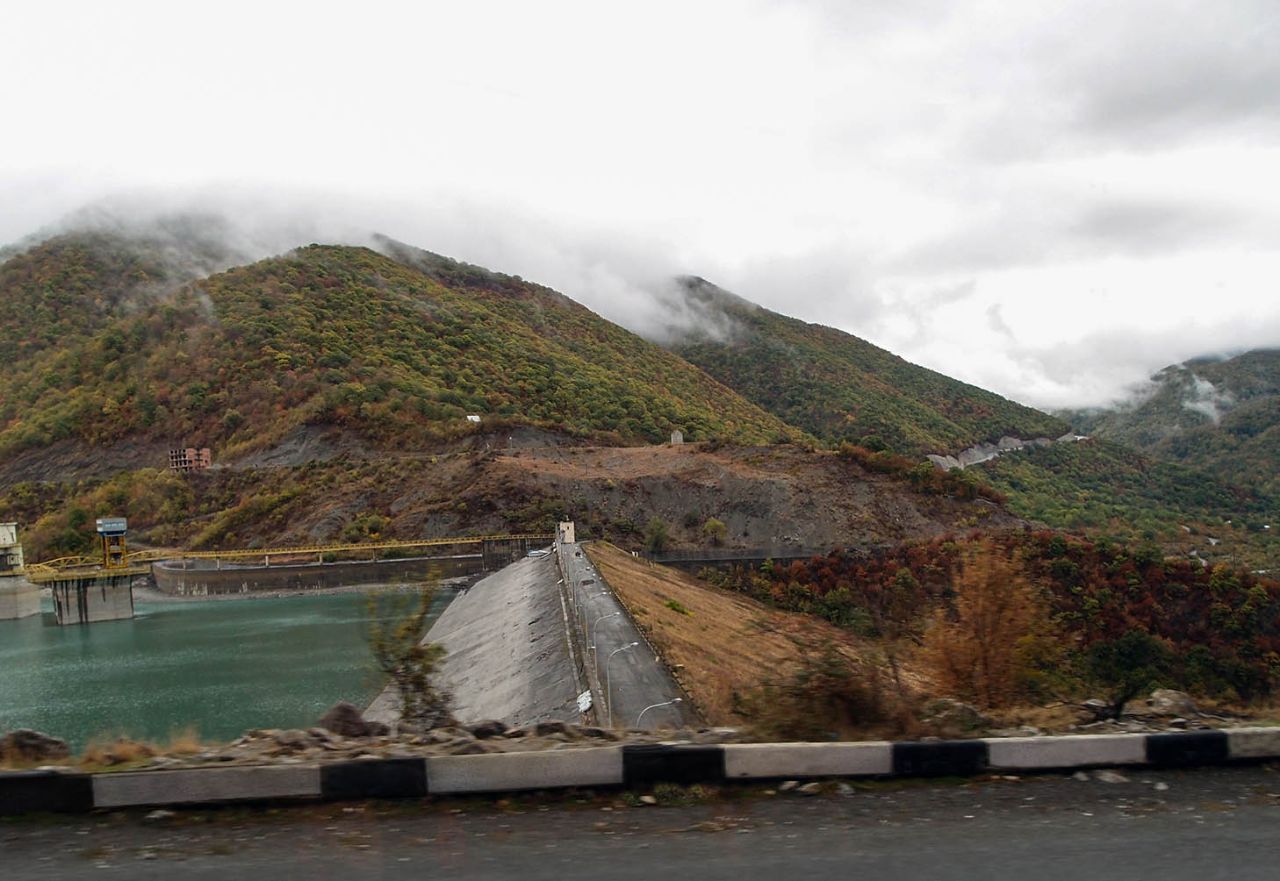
(1046, 199)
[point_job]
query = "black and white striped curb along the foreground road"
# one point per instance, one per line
(637, 766)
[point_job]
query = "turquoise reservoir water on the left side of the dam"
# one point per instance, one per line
(220, 667)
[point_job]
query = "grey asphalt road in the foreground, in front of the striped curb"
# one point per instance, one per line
(1213, 824)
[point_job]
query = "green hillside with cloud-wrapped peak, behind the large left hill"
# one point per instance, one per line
(839, 387)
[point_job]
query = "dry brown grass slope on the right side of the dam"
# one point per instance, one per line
(719, 643)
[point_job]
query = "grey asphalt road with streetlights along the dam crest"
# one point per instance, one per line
(628, 674)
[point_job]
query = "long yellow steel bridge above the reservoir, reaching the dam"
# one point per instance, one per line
(138, 563)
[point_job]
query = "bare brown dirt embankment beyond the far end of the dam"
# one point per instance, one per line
(765, 496)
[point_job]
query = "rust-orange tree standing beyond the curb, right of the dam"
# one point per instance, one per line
(981, 647)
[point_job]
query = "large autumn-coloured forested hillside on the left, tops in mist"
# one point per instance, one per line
(326, 336)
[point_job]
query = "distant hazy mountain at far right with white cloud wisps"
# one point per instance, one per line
(1218, 416)
